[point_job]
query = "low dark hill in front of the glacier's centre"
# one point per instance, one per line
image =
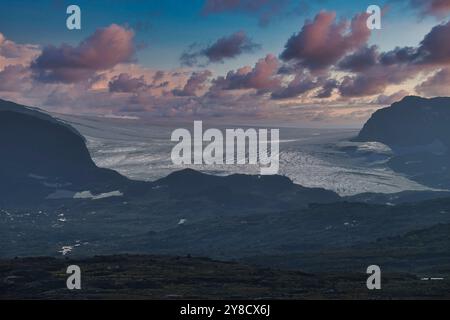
(242, 191)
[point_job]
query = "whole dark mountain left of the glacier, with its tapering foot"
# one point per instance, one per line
(41, 154)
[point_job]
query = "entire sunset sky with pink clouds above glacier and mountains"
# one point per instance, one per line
(311, 63)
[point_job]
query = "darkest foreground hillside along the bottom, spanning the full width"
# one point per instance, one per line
(160, 277)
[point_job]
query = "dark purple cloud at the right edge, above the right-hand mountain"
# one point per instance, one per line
(372, 72)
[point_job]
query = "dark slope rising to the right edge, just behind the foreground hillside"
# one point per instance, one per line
(421, 252)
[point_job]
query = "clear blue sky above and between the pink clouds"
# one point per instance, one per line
(168, 27)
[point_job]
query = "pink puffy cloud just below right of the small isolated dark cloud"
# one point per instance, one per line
(263, 77)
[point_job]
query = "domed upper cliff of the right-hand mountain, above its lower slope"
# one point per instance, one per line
(413, 121)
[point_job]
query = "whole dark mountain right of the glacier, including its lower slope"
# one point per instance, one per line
(418, 130)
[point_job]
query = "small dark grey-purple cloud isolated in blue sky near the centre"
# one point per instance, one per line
(224, 48)
